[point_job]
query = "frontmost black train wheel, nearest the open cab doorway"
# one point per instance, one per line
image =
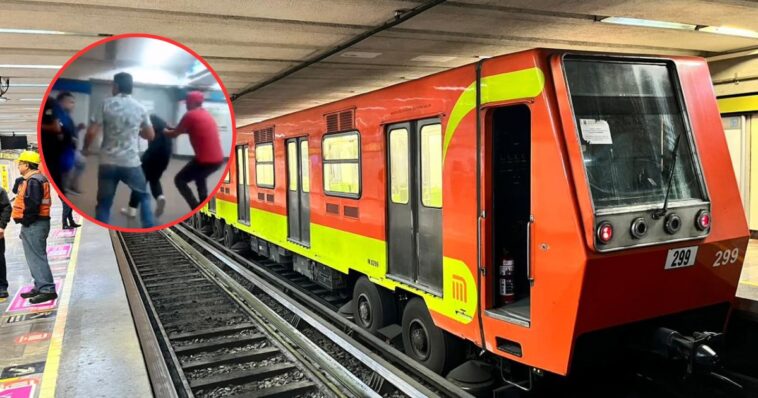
(422, 339)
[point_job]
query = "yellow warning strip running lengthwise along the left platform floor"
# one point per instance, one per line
(50, 376)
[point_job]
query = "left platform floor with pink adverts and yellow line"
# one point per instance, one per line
(82, 344)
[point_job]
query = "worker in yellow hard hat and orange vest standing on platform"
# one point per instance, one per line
(31, 209)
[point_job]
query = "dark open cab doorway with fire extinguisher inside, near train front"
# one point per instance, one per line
(510, 152)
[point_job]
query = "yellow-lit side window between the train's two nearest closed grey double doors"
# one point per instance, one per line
(341, 156)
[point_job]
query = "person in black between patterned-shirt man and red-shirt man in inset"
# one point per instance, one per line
(154, 163)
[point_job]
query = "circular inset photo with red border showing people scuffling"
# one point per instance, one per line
(135, 133)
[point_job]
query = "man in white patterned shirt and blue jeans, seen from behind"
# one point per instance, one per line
(122, 120)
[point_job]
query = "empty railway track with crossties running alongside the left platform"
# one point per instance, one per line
(215, 341)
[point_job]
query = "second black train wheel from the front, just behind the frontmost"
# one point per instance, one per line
(373, 306)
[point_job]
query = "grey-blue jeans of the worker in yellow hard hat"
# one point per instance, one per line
(34, 240)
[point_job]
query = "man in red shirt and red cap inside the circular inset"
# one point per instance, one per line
(206, 142)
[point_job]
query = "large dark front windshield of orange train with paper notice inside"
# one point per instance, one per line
(628, 117)
